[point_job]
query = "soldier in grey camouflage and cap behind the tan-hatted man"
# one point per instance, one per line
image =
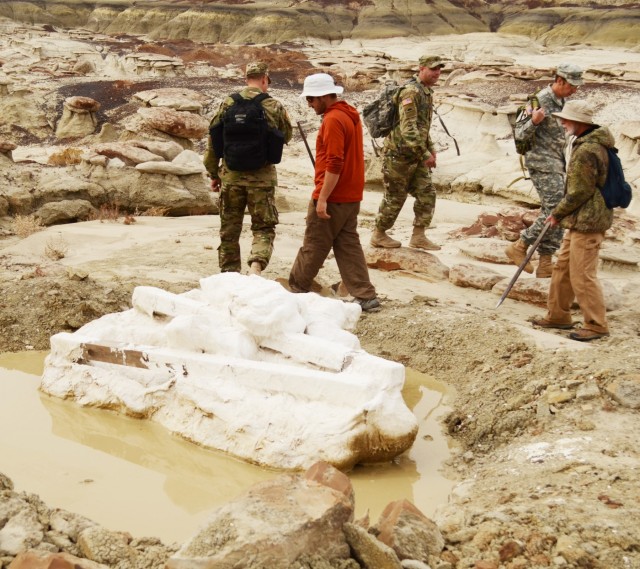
(546, 164)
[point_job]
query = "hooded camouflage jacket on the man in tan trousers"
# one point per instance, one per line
(582, 208)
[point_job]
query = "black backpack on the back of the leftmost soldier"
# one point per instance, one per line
(243, 136)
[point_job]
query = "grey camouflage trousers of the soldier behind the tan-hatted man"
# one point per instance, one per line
(550, 188)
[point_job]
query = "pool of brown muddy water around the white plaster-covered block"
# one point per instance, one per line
(133, 475)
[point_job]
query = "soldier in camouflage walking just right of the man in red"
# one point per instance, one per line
(408, 158)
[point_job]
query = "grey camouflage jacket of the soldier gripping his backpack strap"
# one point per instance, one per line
(549, 141)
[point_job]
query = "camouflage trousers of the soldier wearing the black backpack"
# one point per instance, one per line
(264, 218)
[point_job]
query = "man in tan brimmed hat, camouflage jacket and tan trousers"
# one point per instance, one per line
(583, 213)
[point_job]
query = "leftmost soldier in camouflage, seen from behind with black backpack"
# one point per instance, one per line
(254, 189)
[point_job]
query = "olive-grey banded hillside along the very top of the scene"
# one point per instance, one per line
(278, 21)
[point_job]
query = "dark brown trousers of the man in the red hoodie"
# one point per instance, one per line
(340, 233)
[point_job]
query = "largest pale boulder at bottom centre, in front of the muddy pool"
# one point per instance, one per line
(276, 524)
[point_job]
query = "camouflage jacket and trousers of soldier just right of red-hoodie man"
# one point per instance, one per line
(405, 150)
